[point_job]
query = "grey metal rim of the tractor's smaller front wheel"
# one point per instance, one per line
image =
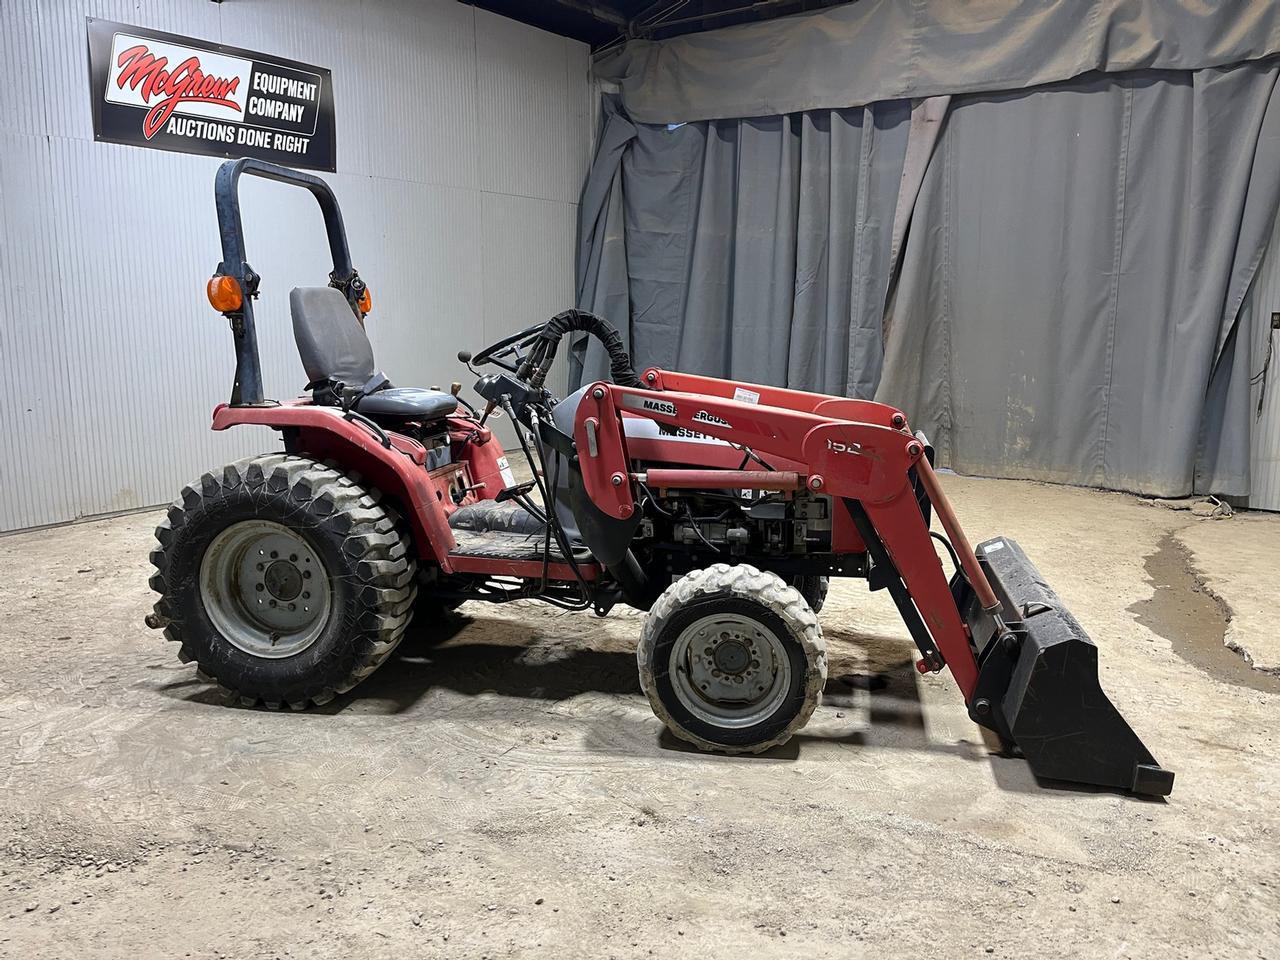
(730, 671)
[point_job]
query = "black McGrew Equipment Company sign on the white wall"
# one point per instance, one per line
(158, 90)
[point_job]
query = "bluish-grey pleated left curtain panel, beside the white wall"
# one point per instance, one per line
(757, 249)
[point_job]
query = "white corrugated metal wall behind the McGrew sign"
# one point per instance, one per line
(463, 144)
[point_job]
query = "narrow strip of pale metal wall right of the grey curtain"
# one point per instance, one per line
(1265, 300)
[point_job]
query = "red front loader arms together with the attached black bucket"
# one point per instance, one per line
(1031, 680)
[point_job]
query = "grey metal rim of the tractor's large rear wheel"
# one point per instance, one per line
(266, 589)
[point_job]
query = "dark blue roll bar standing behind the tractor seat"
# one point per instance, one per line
(248, 388)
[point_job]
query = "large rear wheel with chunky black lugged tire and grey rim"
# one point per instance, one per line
(285, 580)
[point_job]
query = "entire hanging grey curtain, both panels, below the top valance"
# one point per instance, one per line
(1049, 282)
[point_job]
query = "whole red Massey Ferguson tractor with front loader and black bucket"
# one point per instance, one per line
(719, 508)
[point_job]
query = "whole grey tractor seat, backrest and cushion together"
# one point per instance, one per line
(340, 364)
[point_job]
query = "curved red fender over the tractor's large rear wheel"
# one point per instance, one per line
(397, 470)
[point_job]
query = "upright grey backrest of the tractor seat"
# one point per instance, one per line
(332, 342)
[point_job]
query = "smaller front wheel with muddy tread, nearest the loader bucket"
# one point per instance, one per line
(733, 660)
